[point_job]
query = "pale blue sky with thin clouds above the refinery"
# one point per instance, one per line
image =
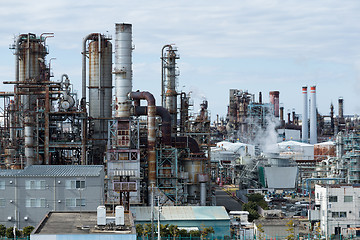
(254, 45)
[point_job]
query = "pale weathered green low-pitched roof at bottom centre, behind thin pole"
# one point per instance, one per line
(183, 213)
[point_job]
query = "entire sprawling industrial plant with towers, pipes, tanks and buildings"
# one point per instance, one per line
(132, 151)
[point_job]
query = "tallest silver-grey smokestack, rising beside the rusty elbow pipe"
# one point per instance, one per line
(123, 69)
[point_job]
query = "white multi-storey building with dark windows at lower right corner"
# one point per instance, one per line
(338, 208)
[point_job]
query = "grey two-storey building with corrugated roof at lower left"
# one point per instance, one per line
(27, 195)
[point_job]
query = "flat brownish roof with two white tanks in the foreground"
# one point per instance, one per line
(80, 223)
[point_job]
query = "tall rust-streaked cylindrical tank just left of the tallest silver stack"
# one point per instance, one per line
(100, 84)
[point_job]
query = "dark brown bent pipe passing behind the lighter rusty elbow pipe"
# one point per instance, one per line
(166, 121)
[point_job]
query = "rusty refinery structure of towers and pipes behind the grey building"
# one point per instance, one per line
(146, 149)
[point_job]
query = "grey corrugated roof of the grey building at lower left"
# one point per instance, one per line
(56, 171)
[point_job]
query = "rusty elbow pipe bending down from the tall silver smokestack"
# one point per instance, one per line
(151, 110)
